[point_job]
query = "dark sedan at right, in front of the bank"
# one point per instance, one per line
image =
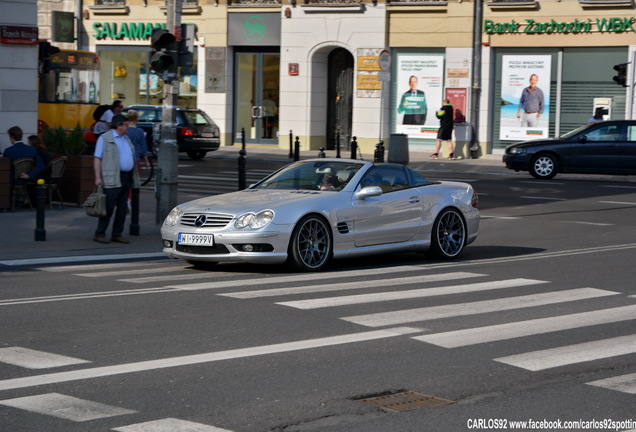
(607, 147)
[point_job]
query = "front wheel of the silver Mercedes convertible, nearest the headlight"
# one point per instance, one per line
(310, 247)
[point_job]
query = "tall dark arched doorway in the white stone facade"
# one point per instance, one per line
(339, 98)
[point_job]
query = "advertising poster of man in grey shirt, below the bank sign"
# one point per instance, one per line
(525, 97)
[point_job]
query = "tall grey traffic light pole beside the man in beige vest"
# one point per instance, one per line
(167, 177)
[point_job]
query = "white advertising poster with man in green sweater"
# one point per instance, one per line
(419, 94)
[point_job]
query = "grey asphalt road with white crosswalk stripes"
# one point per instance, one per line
(535, 322)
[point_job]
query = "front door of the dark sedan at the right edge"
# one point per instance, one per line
(597, 150)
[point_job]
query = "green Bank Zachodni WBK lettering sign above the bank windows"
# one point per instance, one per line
(531, 26)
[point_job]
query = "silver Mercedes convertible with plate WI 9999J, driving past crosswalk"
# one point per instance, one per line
(314, 210)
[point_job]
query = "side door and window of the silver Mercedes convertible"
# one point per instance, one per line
(394, 216)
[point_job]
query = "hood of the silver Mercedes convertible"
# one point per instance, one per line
(253, 200)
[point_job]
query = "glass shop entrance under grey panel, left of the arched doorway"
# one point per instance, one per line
(256, 97)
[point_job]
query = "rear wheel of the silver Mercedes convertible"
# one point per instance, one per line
(449, 235)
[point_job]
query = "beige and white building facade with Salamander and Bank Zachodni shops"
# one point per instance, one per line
(266, 70)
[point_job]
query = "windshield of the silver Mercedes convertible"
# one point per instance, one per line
(324, 176)
